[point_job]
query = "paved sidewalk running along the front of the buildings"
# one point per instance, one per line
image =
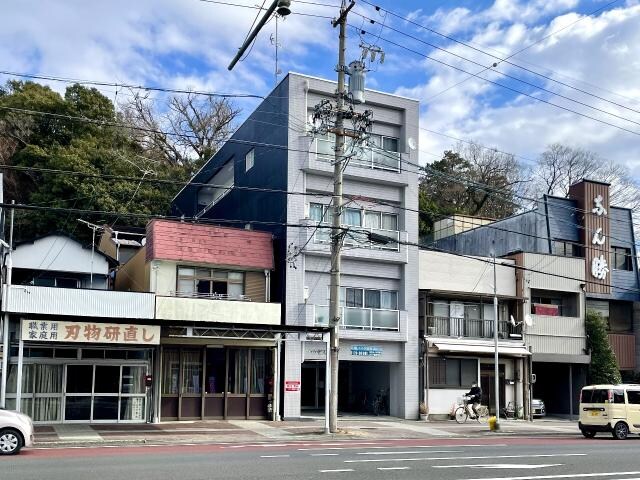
(238, 431)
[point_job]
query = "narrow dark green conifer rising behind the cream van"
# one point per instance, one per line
(603, 368)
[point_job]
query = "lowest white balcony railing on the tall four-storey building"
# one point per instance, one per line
(361, 318)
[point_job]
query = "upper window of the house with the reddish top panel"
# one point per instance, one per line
(210, 282)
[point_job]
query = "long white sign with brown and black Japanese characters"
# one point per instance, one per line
(90, 332)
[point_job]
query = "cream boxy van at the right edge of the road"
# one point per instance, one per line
(610, 408)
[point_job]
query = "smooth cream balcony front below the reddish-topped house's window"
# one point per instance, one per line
(216, 309)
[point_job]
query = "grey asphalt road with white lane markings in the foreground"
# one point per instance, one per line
(497, 458)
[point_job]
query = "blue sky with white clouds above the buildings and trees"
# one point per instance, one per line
(188, 44)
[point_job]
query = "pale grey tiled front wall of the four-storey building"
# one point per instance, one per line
(361, 267)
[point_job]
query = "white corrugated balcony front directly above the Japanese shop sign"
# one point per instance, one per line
(29, 299)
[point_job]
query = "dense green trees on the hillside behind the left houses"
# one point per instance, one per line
(46, 142)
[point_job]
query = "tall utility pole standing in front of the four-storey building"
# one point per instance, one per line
(336, 238)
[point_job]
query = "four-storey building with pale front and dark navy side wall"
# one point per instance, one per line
(274, 150)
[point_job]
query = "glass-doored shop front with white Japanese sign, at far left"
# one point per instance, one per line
(85, 372)
